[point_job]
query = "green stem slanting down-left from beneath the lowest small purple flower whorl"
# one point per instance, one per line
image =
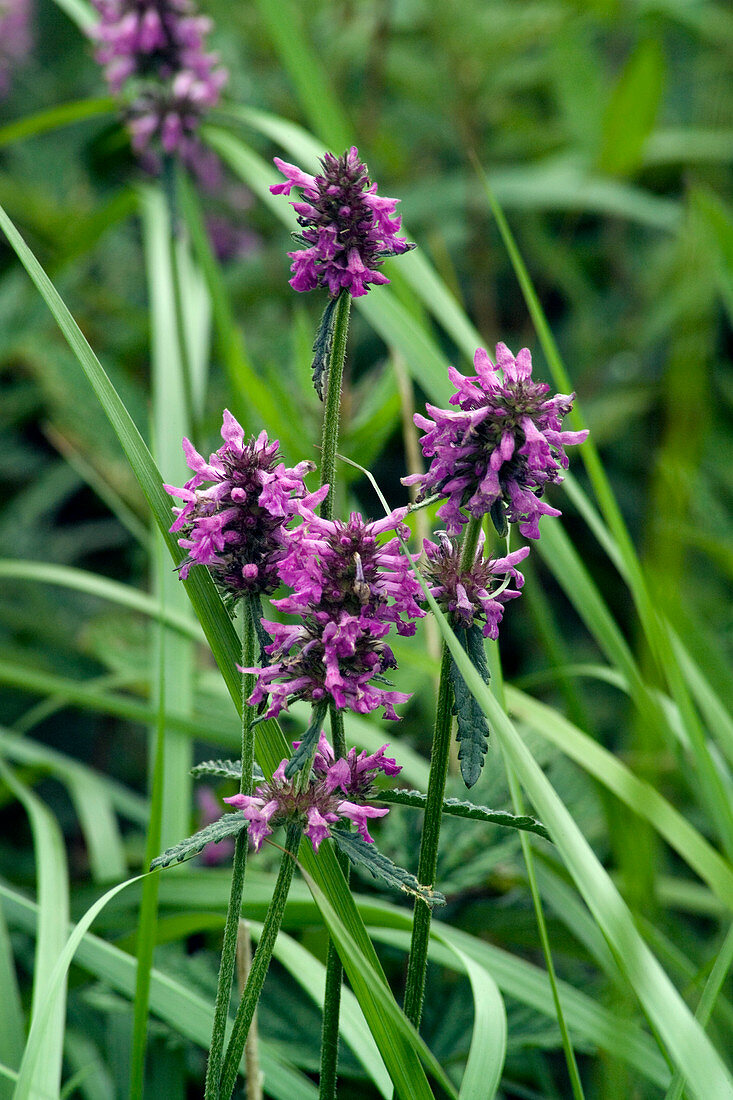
(260, 964)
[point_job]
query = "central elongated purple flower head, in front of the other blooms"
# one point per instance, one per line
(348, 592)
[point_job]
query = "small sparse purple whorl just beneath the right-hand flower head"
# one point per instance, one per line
(472, 596)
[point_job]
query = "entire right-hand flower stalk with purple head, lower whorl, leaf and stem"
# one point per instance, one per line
(494, 457)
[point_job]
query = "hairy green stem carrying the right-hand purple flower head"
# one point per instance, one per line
(429, 860)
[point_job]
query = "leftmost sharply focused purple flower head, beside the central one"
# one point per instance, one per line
(237, 525)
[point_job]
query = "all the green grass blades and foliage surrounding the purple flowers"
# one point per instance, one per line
(606, 247)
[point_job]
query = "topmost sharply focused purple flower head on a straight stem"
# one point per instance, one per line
(348, 229)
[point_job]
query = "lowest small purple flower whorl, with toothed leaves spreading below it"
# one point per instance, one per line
(330, 797)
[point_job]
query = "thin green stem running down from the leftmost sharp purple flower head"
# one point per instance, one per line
(239, 866)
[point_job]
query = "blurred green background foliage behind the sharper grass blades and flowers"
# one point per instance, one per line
(606, 131)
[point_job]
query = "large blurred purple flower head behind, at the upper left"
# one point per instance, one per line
(156, 51)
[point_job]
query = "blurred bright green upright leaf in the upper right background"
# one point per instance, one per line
(632, 111)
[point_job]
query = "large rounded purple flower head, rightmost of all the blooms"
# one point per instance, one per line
(499, 452)
